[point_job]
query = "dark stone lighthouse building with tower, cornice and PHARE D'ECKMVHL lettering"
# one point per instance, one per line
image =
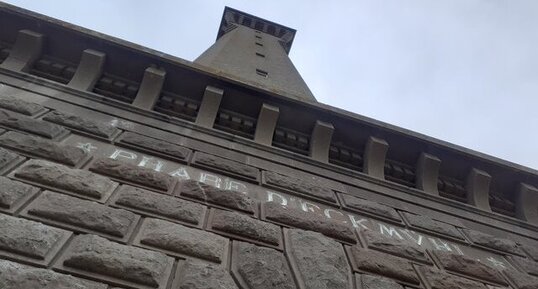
(122, 167)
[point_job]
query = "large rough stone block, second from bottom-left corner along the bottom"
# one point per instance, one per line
(93, 254)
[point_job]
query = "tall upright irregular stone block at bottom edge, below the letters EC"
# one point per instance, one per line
(321, 262)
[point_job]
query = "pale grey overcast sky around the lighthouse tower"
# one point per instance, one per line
(464, 71)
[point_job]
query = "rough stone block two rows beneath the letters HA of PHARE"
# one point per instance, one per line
(159, 204)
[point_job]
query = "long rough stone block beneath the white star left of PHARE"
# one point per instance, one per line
(59, 176)
